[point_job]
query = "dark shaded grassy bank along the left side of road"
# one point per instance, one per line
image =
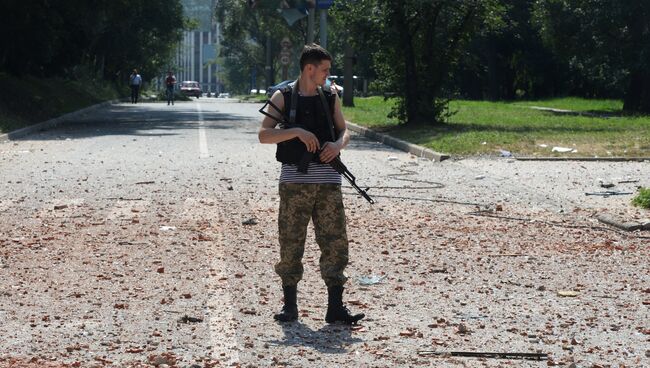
(28, 100)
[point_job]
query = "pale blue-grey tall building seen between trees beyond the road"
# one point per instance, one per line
(197, 52)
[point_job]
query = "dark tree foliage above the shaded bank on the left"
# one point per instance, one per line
(109, 36)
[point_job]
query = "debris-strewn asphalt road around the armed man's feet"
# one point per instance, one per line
(146, 233)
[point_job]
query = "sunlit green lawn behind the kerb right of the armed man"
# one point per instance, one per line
(481, 127)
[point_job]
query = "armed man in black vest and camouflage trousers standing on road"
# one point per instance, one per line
(315, 194)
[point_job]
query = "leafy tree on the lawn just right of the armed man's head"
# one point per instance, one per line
(416, 47)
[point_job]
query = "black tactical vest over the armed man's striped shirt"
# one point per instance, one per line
(310, 115)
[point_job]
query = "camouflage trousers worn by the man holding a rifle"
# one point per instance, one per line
(323, 204)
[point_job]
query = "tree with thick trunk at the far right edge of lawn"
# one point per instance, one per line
(606, 45)
